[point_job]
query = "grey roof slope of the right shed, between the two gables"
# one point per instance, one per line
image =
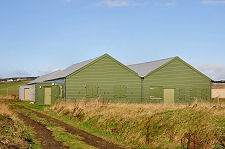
(145, 68)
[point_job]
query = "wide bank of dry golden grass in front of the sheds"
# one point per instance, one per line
(149, 125)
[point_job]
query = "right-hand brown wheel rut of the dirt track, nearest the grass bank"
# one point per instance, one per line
(88, 138)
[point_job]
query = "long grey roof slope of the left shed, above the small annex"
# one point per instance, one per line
(62, 73)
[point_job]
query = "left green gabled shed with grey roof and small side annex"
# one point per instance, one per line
(102, 77)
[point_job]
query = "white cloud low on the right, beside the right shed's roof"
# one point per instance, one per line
(214, 71)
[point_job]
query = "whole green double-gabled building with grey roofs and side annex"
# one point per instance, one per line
(169, 80)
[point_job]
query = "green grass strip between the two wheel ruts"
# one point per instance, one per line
(70, 140)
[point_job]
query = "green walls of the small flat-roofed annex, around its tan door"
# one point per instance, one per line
(40, 92)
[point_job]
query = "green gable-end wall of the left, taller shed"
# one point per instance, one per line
(105, 78)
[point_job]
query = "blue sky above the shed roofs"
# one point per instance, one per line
(40, 36)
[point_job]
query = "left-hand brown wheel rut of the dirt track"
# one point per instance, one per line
(42, 133)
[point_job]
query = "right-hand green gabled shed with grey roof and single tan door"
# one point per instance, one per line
(172, 81)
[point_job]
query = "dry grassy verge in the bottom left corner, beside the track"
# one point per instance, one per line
(13, 133)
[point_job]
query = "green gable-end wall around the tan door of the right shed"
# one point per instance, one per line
(187, 82)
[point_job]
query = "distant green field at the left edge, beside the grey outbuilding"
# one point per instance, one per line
(10, 88)
